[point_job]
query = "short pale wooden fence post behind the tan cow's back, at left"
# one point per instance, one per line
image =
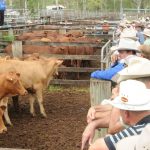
(17, 49)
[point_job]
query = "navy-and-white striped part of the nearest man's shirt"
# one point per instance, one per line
(112, 140)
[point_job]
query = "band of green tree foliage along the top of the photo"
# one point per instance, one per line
(81, 4)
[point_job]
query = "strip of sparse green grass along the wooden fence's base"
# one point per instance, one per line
(58, 88)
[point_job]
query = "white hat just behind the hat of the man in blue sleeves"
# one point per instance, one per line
(129, 33)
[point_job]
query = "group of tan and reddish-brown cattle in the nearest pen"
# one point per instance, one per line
(22, 76)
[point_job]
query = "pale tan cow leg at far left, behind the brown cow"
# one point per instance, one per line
(6, 116)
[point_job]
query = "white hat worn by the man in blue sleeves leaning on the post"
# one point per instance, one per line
(127, 44)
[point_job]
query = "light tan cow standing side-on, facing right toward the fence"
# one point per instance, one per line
(35, 76)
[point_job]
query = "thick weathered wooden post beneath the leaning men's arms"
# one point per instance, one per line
(99, 90)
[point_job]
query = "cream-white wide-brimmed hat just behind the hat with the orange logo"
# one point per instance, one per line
(137, 67)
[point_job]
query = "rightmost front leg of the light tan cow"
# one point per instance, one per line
(39, 94)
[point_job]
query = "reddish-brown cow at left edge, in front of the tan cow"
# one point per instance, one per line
(10, 85)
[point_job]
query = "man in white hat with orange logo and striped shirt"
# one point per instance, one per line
(134, 104)
